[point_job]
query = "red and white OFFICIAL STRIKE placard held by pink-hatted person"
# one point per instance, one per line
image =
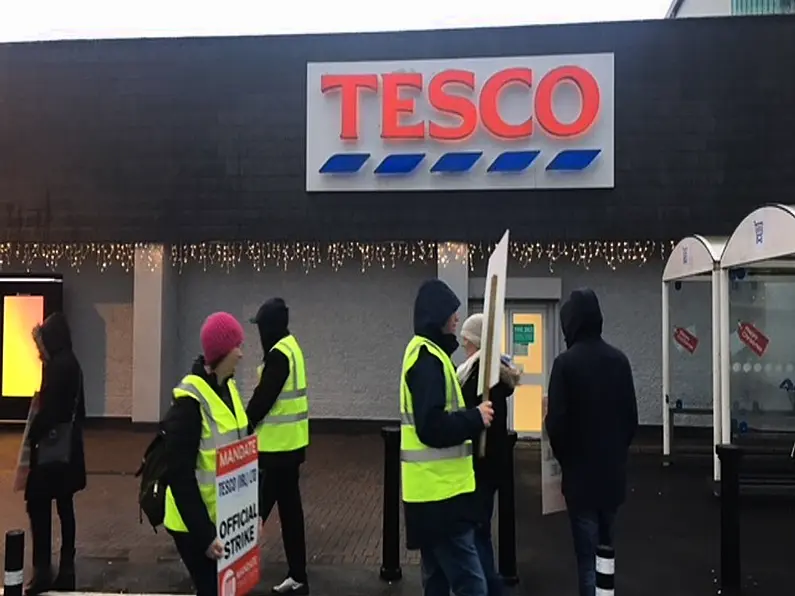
(237, 517)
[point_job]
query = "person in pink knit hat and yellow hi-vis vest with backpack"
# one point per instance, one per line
(206, 413)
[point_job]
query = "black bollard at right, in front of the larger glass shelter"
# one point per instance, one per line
(730, 574)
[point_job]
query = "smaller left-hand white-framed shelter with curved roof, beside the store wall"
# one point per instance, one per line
(693, 259)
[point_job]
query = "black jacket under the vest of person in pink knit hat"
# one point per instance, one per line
(183, 430)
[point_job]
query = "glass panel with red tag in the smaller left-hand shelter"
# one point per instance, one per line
(690, 337)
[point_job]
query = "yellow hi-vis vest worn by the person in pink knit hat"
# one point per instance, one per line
(220, 427)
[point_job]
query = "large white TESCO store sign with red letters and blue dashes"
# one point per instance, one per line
(463, 124)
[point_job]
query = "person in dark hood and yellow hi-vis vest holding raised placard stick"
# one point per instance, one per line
(438, 481)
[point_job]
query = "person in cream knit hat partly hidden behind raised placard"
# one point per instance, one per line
(491, 469)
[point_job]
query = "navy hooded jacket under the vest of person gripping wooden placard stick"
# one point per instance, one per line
(428, 522)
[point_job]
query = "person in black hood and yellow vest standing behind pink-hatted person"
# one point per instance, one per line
(279, 413)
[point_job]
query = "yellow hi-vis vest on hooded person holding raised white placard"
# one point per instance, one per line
(429, 474)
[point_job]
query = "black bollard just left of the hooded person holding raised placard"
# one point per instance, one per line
(390, 540)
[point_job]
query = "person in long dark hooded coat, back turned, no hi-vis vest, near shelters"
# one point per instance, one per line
(591, 420)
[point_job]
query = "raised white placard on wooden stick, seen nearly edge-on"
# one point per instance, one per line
(491, 340)
